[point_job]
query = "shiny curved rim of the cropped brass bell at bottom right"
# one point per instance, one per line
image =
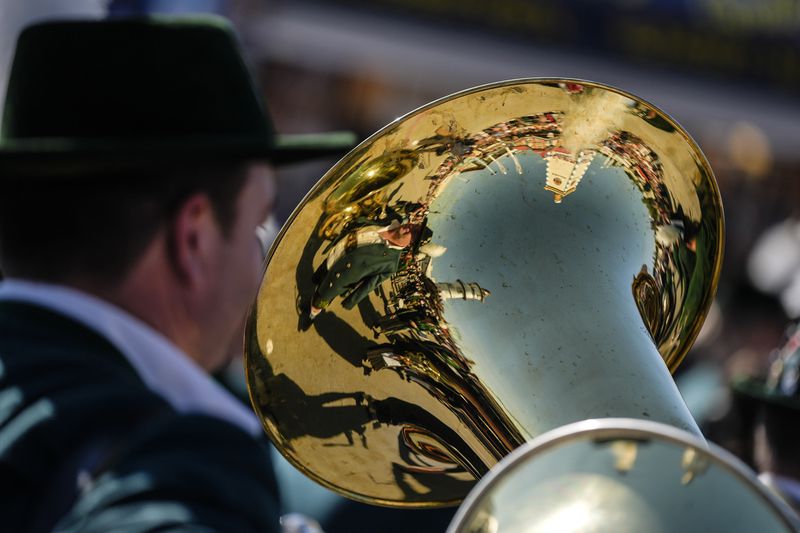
(607, 429)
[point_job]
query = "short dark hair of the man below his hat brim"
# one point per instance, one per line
(96, 226)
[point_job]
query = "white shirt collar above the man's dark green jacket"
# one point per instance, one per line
(164, 368)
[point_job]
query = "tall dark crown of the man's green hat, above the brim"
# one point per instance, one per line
(127, 79)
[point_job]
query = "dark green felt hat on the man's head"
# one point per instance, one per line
(115, 93)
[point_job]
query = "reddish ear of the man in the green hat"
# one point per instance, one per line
(193, 236)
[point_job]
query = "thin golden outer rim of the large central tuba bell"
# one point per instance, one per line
(361, 149)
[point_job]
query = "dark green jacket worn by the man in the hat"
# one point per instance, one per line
(86, 446)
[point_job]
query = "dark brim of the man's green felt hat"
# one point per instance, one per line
(70, 157)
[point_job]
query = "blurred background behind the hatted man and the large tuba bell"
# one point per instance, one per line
(727, 70)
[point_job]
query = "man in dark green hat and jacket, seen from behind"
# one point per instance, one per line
(136, 165)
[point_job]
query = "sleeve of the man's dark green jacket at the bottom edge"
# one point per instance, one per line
(182, 471)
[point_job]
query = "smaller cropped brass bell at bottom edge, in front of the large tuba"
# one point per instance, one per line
(570, 480)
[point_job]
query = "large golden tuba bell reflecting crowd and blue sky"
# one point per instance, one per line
(500, 262)
